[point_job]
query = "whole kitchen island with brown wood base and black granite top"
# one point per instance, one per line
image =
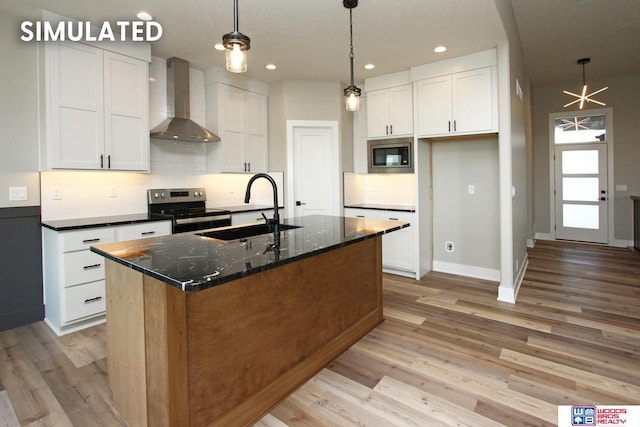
(208, 332)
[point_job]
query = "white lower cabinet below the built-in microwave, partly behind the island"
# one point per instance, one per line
(397, 246)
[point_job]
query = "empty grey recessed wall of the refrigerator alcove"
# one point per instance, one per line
(470, 221)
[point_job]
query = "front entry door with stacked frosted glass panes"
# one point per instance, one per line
(581, 192)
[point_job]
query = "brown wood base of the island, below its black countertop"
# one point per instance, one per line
(228, 354)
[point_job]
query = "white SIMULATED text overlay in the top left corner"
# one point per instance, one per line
(137, 31)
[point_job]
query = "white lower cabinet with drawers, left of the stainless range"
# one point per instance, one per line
(74, 289)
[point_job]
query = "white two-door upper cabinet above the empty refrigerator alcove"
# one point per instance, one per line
(457, 104)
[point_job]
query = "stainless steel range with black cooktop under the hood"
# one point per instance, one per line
(187, 206)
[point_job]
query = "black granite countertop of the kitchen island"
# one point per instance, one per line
(191, 262)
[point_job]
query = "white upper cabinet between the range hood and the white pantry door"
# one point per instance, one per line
(239, 118)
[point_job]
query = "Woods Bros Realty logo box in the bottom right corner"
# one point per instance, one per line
(592, 415)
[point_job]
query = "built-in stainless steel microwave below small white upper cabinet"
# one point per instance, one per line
(390, 155)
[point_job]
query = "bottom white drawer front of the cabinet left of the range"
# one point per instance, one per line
(83, 301)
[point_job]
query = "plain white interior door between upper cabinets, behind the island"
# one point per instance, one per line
(314, 163)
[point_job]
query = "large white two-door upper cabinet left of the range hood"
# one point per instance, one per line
(96, 107)
